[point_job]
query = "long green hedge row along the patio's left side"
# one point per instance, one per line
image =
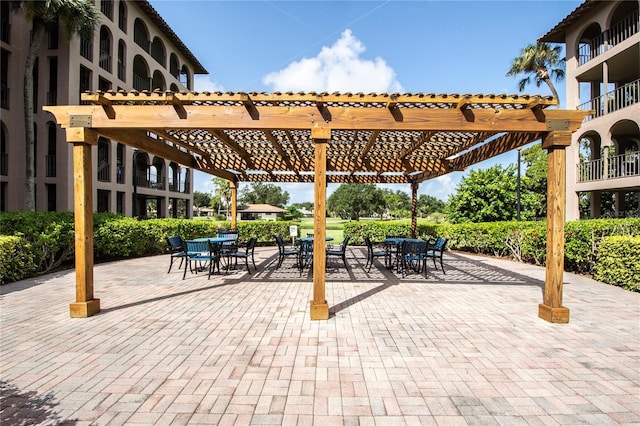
(43, 241)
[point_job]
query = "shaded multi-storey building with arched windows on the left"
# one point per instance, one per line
(133, 49)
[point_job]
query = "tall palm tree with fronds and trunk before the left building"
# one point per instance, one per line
(77, 17)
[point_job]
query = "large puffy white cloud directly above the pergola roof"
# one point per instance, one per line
(339, 68)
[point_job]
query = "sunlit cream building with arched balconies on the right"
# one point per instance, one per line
(602, 41)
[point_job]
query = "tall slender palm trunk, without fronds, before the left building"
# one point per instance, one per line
(30, 188)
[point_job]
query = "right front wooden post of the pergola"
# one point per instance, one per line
(552, 310)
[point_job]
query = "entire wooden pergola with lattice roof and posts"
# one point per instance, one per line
(320, 138)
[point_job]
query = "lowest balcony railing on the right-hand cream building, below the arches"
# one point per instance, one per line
(617, 166)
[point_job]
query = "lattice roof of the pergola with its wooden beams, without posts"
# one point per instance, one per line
(267, 137)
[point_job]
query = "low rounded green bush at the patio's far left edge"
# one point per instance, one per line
(16, 259)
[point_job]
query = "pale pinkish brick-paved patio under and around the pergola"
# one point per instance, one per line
(462, 348)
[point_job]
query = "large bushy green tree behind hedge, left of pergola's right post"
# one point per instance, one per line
(485, 195)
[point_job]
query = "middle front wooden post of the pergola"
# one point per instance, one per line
(319, 309)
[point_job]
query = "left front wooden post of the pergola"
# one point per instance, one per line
(82, 139)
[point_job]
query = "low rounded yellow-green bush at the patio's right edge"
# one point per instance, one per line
(618, 262)
